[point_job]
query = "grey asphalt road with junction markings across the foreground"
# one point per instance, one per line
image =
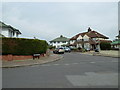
(75, 70)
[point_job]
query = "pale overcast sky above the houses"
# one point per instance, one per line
(48, 20)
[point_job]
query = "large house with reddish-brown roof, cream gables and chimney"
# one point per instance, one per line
(88, 40)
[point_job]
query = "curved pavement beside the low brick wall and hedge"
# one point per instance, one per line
(29, 62)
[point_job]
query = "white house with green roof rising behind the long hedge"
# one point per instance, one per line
(8, 31)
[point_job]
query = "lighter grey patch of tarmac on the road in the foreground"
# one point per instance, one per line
(94, 79)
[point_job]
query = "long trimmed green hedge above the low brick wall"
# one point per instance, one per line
(21, 46)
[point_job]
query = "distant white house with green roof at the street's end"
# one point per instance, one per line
(60, 41)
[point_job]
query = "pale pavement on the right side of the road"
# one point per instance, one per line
(108, 53)
